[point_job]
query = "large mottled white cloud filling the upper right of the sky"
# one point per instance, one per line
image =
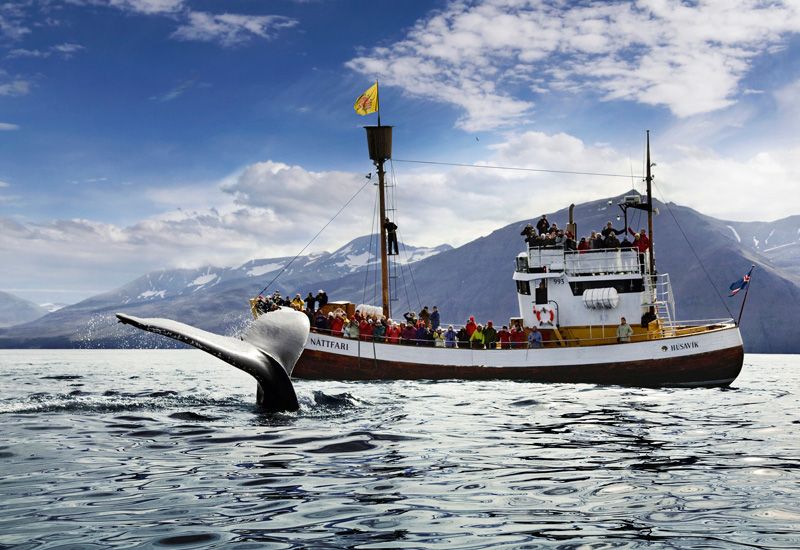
(688, 58)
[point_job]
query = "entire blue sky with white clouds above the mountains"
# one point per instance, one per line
(146, 134)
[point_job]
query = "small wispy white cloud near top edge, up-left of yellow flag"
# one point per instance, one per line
(230, 29)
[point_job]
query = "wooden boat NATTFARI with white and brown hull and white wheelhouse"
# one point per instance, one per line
(576, 299)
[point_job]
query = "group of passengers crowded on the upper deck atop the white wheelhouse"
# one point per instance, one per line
(546, 234)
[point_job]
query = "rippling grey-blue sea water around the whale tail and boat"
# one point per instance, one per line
(165, 448)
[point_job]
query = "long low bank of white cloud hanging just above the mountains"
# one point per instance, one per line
(271, 209)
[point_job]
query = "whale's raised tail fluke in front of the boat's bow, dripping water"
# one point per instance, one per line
(267, 351)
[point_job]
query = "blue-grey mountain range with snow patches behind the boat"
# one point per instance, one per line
(703, 255)
